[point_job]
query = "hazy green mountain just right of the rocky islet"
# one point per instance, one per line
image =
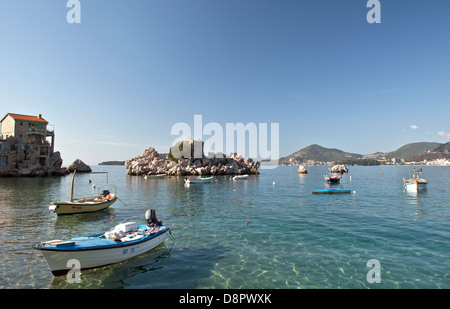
(319, 153)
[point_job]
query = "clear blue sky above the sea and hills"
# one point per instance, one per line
(116, 83)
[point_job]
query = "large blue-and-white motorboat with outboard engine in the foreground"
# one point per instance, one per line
(121, 243)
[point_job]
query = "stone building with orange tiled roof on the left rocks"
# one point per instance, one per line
(24, 141)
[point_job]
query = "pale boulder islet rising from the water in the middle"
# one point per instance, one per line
(150, 163)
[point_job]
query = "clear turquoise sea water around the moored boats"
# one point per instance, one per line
(293, 239)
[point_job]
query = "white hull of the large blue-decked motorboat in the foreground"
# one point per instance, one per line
(59, 259)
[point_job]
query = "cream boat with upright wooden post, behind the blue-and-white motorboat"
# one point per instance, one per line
(84, 204)
